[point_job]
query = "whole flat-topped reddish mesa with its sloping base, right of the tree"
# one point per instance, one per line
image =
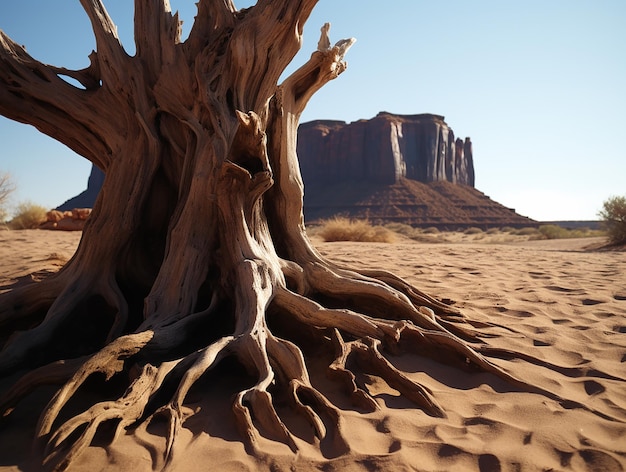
(395, 168)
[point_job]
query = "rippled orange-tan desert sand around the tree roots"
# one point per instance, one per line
(557, 301)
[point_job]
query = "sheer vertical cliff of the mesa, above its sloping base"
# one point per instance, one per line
(384, 150)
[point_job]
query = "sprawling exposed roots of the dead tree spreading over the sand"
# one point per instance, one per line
(277, 364)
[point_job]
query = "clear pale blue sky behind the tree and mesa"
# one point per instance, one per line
(539, 86)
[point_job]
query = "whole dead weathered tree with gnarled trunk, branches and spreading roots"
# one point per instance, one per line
(197, 238)
